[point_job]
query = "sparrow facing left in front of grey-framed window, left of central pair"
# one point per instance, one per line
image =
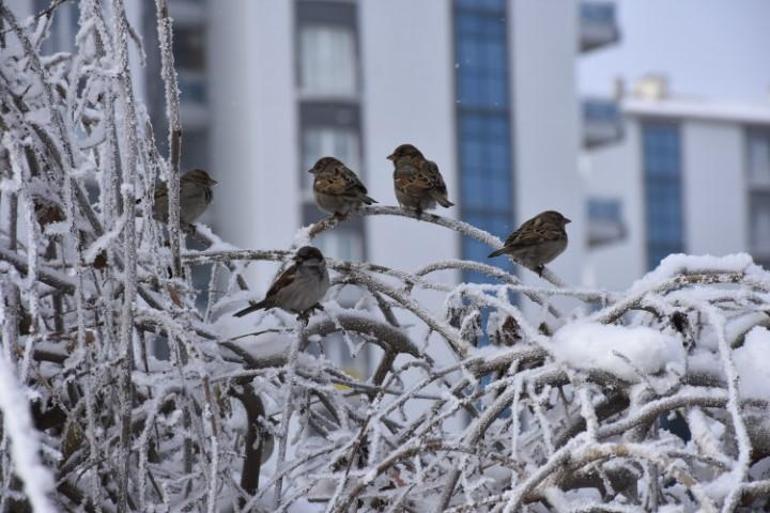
(336, 188)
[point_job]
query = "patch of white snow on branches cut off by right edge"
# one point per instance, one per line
(752, 361)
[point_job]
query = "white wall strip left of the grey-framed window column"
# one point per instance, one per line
(253, 122)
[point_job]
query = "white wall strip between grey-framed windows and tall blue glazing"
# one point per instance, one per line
(408, 97)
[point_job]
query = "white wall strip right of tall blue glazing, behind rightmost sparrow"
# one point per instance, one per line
(546, 129)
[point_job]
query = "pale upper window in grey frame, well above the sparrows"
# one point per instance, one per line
(327, 60)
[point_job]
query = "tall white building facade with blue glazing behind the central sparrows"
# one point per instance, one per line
(473, 83)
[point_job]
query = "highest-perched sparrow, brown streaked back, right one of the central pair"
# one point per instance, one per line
(417, 180)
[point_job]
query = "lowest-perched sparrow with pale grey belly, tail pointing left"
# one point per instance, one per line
(299, 288)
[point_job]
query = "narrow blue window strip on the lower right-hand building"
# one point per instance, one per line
(662, 190)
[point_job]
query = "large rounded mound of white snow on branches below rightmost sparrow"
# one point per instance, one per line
(595, 346)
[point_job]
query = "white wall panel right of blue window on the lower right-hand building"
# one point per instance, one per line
(715, 209)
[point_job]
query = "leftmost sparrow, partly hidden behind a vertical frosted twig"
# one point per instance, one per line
(194, 197)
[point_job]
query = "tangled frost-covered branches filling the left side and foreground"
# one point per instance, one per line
(564, 410)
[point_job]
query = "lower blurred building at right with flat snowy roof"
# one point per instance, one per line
(691, 175)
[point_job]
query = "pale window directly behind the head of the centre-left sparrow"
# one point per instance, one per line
(318, 142)
